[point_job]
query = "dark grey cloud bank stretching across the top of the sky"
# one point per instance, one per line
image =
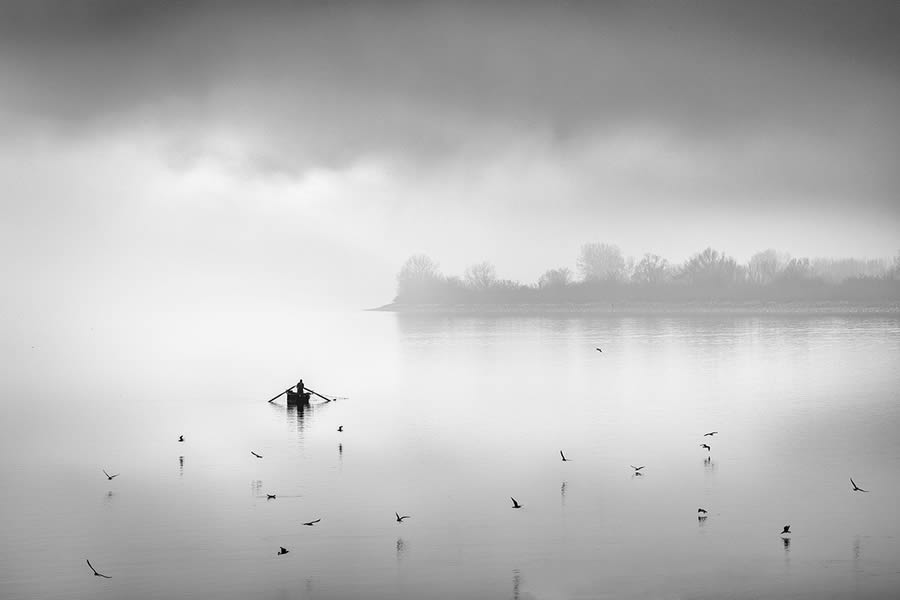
(294, 85)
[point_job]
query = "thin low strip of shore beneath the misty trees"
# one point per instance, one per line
(655, 308)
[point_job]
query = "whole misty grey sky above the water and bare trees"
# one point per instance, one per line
(198, 153)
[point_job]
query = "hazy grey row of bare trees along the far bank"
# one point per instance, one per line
(604, 274)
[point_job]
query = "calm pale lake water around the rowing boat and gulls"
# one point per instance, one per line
(446, 418)
